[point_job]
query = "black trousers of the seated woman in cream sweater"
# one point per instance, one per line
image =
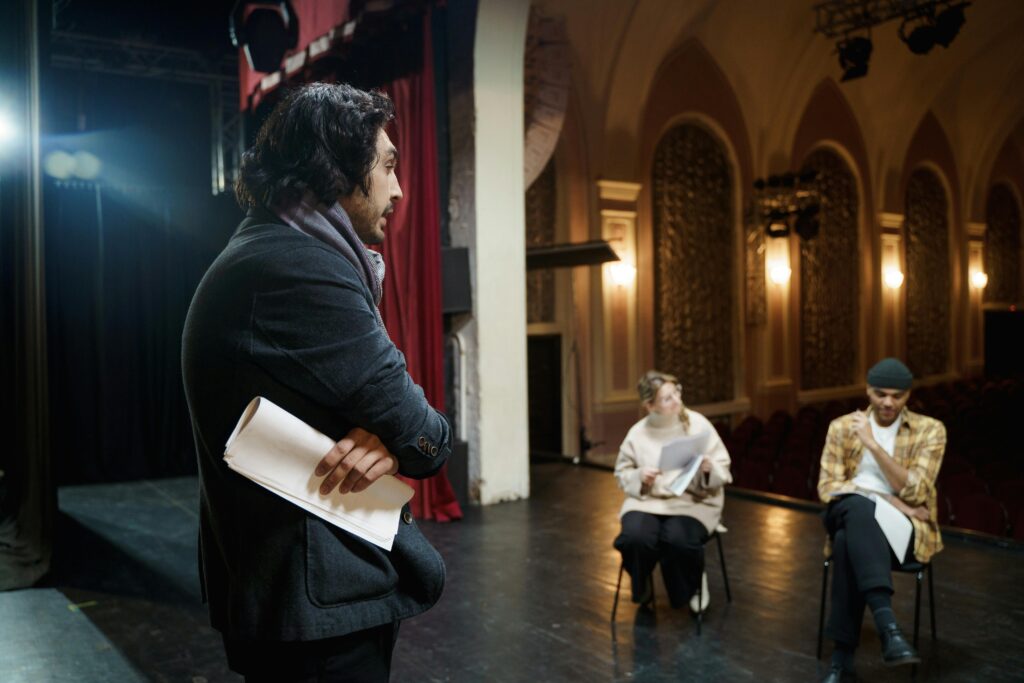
(675, 541)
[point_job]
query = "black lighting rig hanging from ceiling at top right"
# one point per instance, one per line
(924, 24)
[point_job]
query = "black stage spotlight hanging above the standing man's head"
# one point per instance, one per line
(267, 32)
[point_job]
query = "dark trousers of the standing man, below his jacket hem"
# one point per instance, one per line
(364, 657)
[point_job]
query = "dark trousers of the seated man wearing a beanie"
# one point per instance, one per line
(863, 561)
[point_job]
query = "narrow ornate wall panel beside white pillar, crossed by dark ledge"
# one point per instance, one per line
(541, 208)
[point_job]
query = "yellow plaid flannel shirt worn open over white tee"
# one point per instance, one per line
(921, 444)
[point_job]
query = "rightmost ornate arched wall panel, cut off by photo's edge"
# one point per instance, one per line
(1003, 246)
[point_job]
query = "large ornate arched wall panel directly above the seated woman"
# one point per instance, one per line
(694, 255)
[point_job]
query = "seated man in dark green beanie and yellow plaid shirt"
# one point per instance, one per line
(890, 452)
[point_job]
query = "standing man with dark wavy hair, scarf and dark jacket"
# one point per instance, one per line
(289, 312)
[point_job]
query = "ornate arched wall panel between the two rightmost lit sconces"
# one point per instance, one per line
(928, 280)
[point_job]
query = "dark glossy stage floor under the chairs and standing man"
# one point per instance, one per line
(529, 596)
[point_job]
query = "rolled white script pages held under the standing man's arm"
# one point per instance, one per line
(279, 452)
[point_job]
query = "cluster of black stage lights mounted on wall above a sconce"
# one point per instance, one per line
(791, 202)
